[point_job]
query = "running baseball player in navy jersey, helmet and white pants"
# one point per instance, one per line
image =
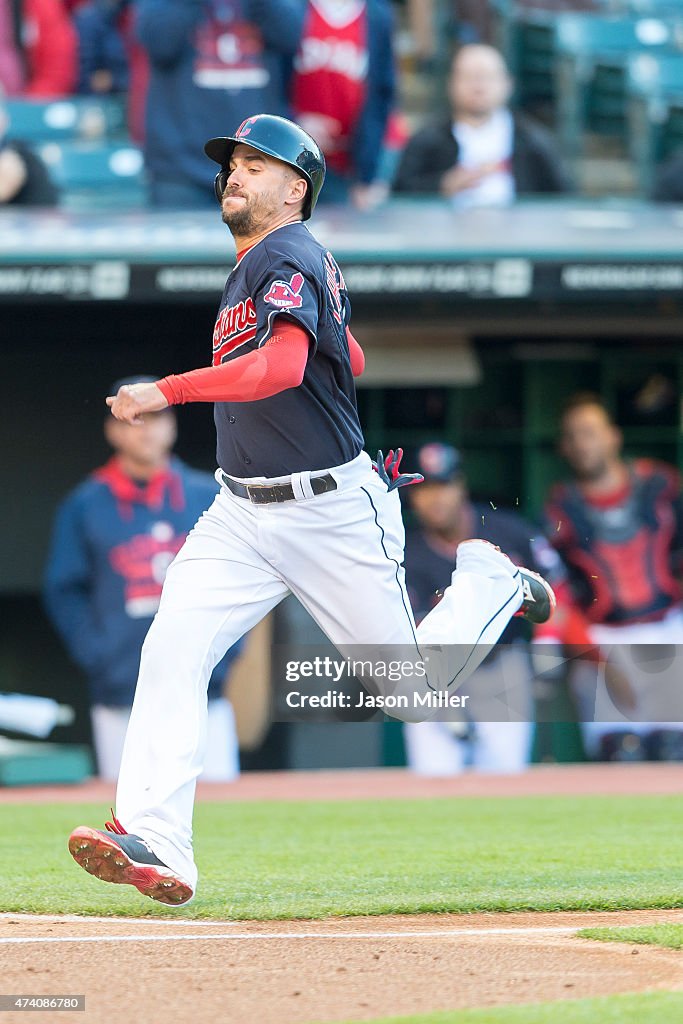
(301, 509)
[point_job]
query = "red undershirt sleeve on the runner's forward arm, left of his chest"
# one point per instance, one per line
(279, 365)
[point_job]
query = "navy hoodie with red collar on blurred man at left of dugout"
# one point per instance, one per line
(112, 544)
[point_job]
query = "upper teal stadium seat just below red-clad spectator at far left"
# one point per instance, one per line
(84, 118)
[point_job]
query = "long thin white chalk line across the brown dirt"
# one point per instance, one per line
(287, 936)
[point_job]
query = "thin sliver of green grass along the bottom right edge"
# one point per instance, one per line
(646, 1008)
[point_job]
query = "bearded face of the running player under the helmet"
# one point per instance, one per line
(260, 190)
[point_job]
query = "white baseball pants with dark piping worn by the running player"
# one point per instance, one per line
(341, 554)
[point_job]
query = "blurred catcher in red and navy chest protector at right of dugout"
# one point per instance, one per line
(619, 527)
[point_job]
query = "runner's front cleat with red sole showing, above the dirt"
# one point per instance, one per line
(126, 860)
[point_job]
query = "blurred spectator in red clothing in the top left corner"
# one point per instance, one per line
(38, 49)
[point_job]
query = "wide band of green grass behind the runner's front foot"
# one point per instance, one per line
(317, 860)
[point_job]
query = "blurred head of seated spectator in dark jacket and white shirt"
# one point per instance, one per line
(480, 82)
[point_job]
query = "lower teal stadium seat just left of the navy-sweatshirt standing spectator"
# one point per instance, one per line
(106, 177)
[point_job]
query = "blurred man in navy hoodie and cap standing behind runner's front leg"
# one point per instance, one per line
(115, 537)
